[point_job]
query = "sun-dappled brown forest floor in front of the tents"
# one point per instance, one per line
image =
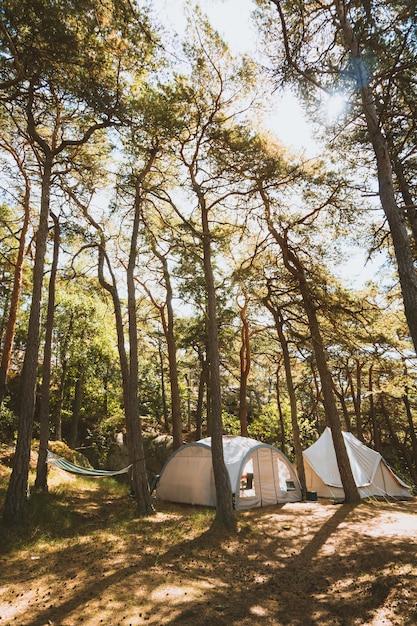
(83, 557)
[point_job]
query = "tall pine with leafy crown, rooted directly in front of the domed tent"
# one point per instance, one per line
(204, 104)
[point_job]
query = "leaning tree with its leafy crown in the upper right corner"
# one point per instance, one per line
(337, 40)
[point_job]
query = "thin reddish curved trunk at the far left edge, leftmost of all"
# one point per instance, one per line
(17, 285)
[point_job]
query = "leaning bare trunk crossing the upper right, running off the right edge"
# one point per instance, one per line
(395, 217)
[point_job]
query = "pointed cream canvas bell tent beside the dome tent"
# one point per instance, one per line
(373, 477)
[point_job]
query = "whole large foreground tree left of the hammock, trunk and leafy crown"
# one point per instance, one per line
(65, 99)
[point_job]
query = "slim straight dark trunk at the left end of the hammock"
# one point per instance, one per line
(41, 480)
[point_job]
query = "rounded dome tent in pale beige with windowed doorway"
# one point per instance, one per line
(259, 474)
